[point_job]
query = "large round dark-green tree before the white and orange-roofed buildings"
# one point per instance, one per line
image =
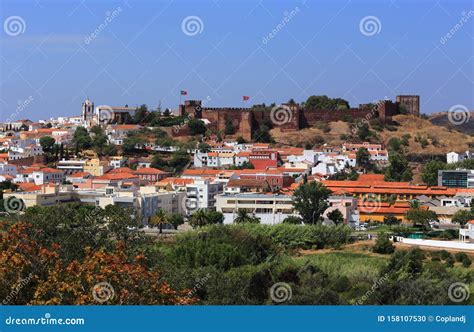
(310, 201)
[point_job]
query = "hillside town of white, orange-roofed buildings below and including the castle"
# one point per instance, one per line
(225, 160)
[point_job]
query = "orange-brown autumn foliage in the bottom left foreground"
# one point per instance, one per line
(33, 274)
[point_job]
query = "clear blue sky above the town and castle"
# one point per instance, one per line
(143, 55)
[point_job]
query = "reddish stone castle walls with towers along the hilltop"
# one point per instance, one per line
(292, 117)
